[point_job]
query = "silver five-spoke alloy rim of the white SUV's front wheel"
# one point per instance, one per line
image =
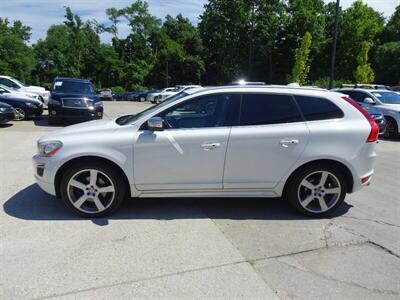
(91, 191)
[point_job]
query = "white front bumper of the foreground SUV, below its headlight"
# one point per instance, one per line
(43, 173)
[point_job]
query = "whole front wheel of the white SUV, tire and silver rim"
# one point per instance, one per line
(93, 189)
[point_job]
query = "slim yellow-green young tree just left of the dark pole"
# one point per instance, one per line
(301, 66)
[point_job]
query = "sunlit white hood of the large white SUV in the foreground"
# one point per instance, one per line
(92, 127)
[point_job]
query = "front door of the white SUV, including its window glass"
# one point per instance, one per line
(190, 153)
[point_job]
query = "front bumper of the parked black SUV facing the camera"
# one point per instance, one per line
(59, 112)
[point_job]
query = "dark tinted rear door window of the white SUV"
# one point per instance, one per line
(262, 109)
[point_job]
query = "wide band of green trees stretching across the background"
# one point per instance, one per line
(259, 40)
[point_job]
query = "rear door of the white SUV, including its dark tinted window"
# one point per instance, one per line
(270, 138)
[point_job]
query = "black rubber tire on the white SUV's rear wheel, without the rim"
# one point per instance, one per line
(292, 189)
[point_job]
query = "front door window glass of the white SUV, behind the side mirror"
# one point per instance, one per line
(203, 111)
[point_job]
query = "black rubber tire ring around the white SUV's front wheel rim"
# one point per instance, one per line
(118, 180)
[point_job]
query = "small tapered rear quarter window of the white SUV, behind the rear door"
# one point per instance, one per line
(315, 108)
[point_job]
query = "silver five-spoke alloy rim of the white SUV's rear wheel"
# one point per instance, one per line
(319, 191)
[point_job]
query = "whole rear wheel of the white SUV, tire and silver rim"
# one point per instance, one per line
(316, 190)
